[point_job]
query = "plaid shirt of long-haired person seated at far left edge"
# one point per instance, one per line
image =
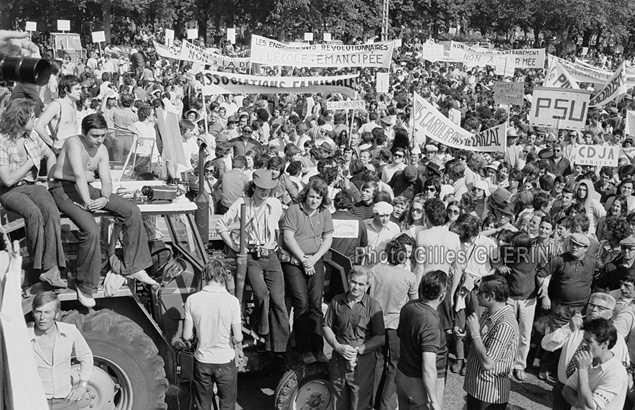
(14, 155)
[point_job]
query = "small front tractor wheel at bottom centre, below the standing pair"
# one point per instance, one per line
(305, 387)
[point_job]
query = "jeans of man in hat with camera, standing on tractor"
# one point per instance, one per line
(271, 317)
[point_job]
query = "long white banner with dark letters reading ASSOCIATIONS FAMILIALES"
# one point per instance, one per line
(229, 83)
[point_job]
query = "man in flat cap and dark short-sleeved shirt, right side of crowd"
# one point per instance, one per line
(567, 280)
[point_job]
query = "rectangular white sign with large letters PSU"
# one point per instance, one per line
(559, 108)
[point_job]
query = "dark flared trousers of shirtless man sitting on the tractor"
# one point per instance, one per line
(136, 254)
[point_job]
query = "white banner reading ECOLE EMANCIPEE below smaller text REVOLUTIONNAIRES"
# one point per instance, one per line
(271, 52)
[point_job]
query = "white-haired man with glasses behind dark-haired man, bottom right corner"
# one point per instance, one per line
(570, 336)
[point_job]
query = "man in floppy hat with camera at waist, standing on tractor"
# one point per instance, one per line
(262, 213)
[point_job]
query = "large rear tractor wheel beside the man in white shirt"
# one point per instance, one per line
(129, 373)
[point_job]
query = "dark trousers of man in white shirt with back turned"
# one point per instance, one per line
(226, 378)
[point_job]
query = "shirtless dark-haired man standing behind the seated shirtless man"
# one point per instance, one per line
(61, 115)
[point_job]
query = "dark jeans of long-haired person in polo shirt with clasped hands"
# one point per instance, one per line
(306, 297)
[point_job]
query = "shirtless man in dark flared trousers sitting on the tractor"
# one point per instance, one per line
(79, 159)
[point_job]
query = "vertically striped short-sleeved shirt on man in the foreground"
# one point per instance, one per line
(500, 337)
